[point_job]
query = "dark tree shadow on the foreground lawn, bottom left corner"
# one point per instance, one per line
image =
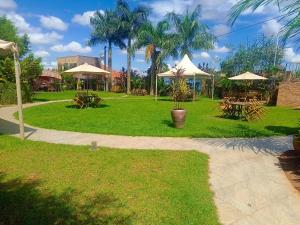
(22, 203)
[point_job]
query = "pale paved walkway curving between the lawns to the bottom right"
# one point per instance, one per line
(249, 185)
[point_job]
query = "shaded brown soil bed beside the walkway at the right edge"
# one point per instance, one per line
(290, 163)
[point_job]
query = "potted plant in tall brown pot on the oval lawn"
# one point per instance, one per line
(180, 92)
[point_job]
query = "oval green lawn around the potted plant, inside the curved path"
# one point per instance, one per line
(145, 117)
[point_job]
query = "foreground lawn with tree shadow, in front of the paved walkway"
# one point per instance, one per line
(59, 184)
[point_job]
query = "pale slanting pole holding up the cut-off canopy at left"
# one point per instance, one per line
(19, 93)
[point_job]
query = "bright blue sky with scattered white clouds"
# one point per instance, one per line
(60, 27)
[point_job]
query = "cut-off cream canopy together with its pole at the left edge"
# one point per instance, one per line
(6, 47)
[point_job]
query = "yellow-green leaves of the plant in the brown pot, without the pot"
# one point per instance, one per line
(180, 91)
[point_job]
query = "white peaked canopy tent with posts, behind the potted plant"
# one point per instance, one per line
(189, 71)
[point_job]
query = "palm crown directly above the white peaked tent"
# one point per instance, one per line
(191, 33)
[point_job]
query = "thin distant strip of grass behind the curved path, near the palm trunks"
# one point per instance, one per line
(69, 94)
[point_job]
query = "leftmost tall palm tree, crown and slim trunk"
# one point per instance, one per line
(106, 29)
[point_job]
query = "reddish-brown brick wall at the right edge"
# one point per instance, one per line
(289, 94)
